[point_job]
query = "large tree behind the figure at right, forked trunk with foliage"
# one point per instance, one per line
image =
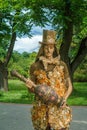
(69, 19)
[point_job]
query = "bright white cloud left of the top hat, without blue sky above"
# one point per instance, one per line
(28, 44)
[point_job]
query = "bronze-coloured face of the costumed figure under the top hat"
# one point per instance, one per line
(48, 50)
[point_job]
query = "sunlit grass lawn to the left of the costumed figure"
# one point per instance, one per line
(18, 93)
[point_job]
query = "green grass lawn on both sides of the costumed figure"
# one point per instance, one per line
(18, 93)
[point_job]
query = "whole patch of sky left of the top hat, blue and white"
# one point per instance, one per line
(30, 44)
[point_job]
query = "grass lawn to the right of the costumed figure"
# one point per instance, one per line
(79, 94)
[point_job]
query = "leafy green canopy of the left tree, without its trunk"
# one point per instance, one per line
(14, 17)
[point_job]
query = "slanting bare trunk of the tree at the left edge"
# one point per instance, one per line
(4, 64)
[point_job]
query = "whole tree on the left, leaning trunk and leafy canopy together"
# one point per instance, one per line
(16, 21)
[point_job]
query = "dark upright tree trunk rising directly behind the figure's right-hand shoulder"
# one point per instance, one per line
(67, 36)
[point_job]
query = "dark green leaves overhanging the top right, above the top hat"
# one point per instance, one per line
(54, 10)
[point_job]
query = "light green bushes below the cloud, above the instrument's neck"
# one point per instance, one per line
(21, 62)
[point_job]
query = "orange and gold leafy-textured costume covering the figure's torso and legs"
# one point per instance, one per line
(55, 75)
